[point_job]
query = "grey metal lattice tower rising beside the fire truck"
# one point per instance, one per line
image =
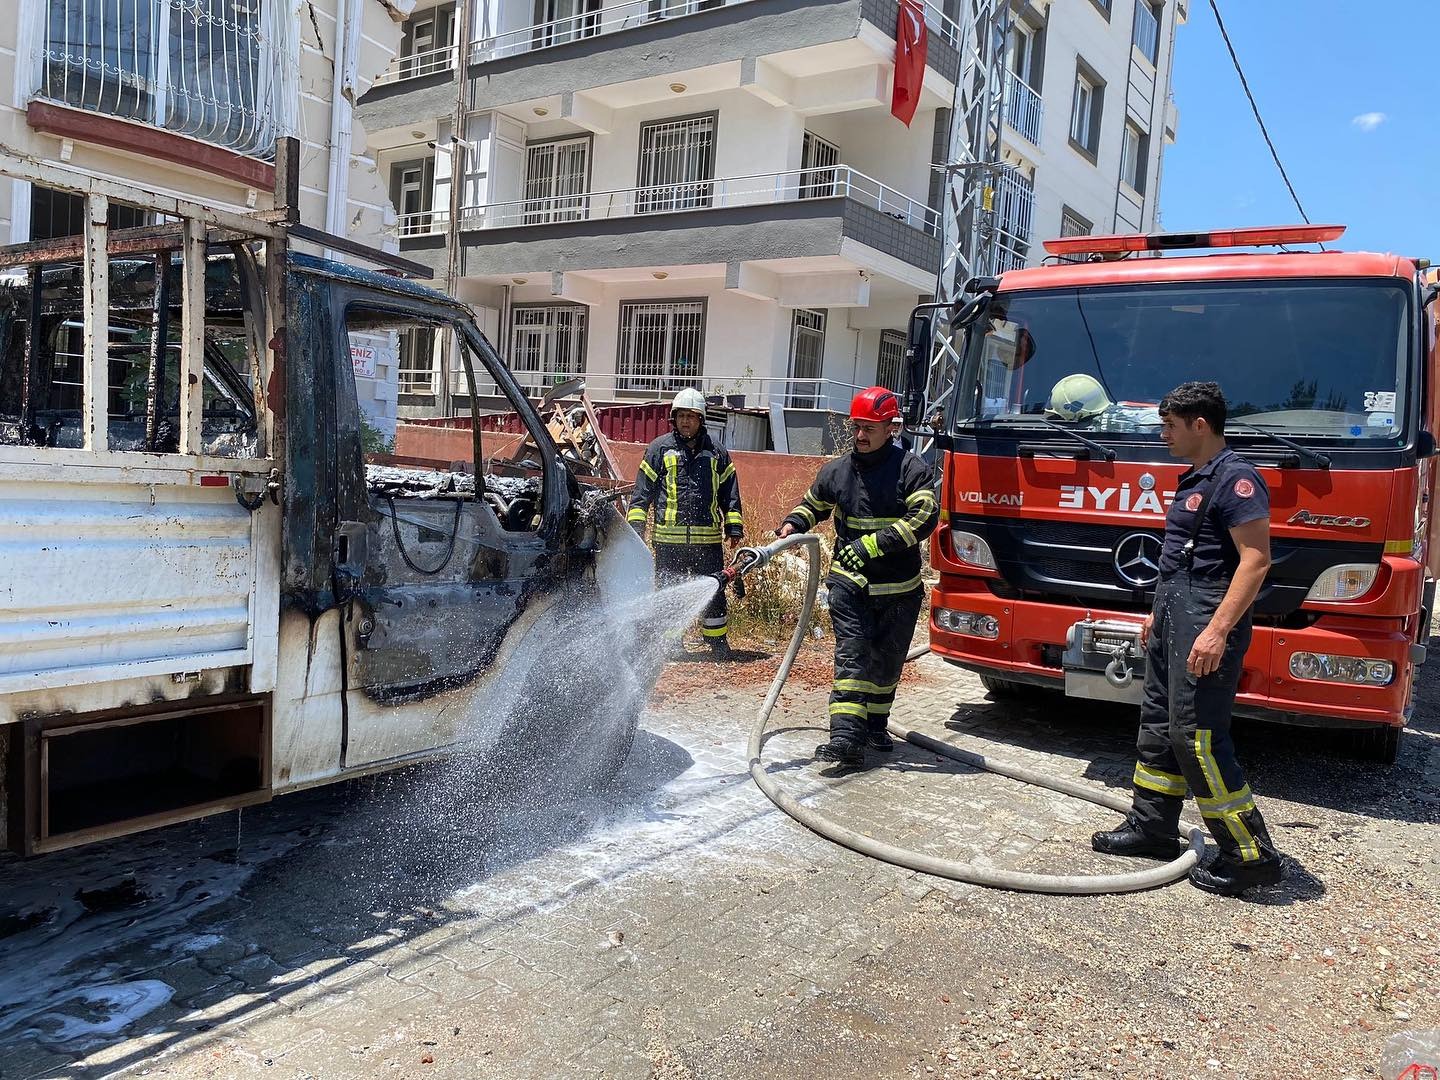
(968, 228)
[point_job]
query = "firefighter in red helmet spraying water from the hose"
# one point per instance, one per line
(885, 508)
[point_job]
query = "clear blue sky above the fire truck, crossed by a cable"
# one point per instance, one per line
(1349, 97)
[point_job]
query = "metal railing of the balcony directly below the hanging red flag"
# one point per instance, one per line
(764, 189)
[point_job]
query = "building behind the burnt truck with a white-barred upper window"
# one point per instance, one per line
(189, 97)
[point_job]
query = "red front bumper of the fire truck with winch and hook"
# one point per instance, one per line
(1334, 673)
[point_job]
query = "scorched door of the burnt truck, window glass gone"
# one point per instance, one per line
(428, 575)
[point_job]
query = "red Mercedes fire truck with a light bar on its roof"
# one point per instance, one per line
(1053, 510)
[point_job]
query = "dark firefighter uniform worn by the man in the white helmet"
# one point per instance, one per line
(693, 489)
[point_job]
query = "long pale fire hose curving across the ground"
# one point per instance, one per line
(750, 559)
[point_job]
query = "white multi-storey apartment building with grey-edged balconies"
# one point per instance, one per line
(665, 194)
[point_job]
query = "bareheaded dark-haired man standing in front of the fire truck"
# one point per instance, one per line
(1215, 561)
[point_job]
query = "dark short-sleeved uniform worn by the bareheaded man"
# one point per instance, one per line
(1184, 742)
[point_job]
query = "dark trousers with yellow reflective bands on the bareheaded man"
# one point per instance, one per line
(1184, 741)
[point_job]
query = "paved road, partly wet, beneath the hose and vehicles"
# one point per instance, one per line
(678, 927)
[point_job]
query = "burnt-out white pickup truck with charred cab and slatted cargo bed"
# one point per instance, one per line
(208, 594)
